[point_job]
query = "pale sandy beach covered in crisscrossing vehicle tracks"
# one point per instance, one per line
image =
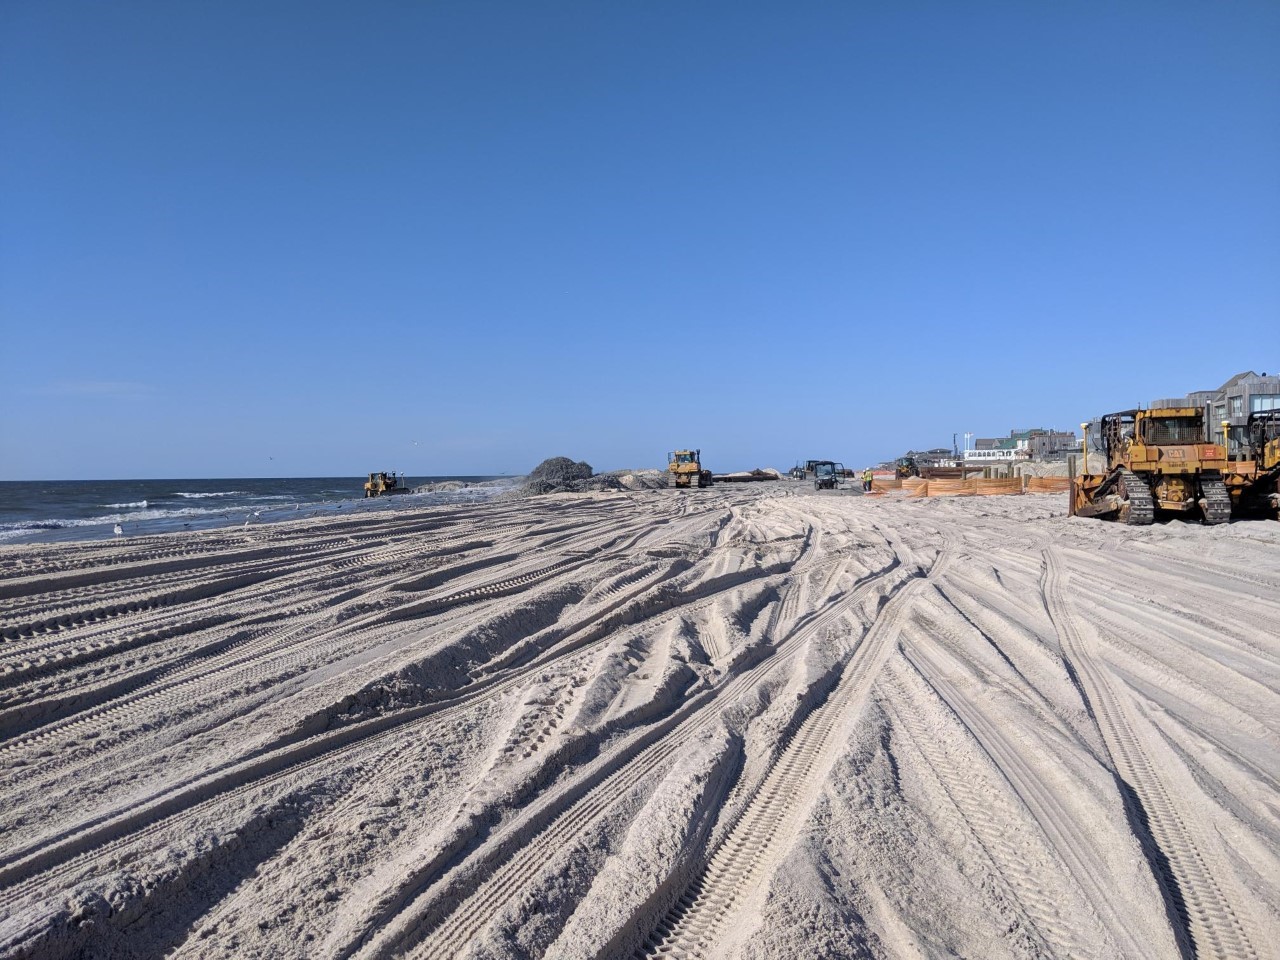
(751, 721)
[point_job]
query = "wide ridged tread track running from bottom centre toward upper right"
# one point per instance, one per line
(770, 819)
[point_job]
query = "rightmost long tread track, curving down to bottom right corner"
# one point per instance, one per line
(1183, 867)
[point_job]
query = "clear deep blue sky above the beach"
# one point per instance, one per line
(509, 231)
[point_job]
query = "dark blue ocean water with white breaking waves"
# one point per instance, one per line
(90, 510)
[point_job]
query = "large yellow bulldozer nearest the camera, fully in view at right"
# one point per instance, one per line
(1158, 461)
